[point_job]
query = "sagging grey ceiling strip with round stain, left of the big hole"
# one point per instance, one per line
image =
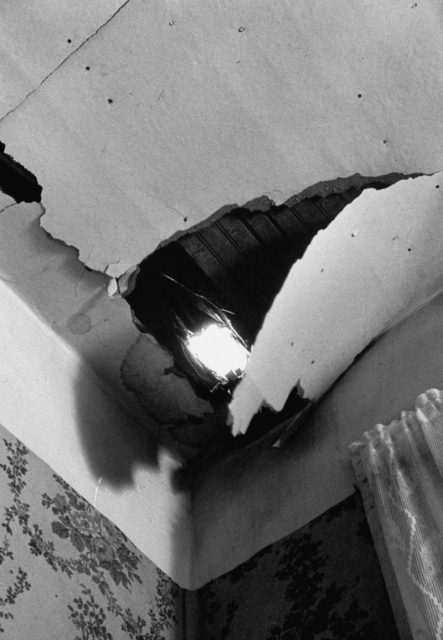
(70, 299)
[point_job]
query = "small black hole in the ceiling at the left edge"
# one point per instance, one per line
(16, 181)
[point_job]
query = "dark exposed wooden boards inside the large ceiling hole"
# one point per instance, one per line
(247, 254)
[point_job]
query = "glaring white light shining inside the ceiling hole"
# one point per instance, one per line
(218, 350)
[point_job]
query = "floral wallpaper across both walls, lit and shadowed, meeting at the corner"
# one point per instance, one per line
(68, 573)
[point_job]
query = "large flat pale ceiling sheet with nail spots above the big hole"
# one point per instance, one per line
(168, 112)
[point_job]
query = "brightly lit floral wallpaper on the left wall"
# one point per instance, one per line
(66, 572)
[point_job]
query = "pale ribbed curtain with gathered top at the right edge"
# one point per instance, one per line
(399, 470)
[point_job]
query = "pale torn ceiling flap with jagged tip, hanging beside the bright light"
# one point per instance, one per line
(377, 262)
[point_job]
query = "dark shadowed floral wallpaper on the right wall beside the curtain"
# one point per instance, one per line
(322, 582)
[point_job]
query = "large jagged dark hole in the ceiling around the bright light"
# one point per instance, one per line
(236, 264)
